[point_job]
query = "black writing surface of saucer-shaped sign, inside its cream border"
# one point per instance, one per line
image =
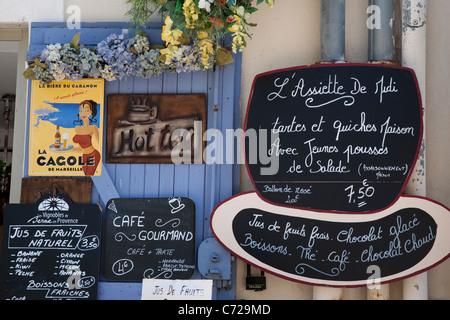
(336, 251)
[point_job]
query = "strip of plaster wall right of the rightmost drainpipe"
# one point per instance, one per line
(438, 126)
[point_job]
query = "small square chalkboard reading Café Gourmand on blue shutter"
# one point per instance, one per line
(149, 238)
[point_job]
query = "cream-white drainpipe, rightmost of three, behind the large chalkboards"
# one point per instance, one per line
(414, 56)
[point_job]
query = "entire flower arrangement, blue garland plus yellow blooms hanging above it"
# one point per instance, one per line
(193, 34)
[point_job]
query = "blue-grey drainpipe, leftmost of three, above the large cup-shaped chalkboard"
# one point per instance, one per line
(332, 38)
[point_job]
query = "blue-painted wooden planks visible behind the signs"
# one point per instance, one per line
(160, 180)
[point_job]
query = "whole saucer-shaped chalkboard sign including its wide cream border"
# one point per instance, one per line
(335, 249)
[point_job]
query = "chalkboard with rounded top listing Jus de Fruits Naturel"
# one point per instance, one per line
(51, 250)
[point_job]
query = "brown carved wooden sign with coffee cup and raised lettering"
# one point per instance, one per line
(155, 128)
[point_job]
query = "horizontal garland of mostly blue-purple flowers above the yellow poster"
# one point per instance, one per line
(119, 56)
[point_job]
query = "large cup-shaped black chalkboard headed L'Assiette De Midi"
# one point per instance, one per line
(333, 137)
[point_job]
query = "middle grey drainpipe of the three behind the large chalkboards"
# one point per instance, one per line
(381, 50)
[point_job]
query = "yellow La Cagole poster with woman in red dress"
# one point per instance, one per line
(66, 128)
